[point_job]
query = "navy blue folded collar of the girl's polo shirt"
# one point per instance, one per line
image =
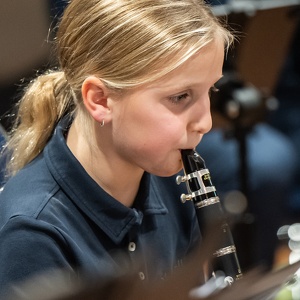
(110, 215)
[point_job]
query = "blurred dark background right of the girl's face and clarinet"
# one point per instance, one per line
(253, 149)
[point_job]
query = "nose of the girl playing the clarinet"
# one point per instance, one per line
(201, 117)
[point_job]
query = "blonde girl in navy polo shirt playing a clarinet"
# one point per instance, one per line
(97, 141)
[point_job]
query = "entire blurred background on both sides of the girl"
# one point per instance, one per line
(253, 149)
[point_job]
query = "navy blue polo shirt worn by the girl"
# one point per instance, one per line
(54, 215)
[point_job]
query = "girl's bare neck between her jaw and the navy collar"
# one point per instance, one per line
(117, 177)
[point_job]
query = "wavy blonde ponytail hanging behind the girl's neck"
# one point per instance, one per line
(46, 100)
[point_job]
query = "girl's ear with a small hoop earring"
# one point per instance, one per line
(94, 94)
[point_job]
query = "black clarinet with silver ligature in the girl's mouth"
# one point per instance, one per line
(208, 208)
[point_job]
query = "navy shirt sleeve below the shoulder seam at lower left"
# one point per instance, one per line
(29, 247)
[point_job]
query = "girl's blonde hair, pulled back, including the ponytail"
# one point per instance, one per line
(125, 43)
